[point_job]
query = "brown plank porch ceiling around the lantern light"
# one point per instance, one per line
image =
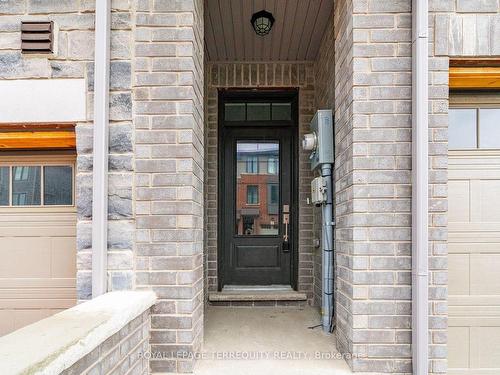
(295, 36)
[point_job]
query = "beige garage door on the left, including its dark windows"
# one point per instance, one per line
(37, 238)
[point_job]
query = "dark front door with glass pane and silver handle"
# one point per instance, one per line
(257, 200)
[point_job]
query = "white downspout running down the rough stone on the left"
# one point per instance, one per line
(100, 157)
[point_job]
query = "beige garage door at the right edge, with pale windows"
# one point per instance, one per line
(474, 236)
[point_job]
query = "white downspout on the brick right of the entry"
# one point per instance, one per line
(420, 183)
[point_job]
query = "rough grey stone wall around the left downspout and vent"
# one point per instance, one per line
(74, 59)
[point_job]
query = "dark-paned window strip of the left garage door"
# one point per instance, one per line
(36, 185)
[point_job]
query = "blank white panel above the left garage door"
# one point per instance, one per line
(49, 100)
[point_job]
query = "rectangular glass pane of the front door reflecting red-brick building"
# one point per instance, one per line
(257, 188)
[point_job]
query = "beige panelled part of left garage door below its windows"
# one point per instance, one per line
(38, 268)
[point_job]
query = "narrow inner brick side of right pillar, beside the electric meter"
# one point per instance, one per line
(344, 230)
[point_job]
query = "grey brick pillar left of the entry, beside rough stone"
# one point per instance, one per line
(168, 117)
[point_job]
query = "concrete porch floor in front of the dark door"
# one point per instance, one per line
(277, 341)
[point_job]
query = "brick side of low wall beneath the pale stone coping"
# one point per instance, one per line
(126, 352)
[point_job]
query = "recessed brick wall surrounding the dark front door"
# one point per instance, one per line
(255, 75)
